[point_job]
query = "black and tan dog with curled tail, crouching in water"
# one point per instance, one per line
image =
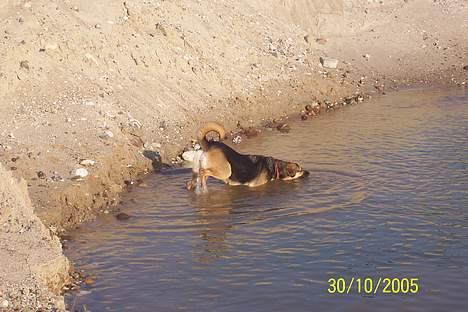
(221, 162)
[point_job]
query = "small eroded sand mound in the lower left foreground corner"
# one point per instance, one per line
(32, 266)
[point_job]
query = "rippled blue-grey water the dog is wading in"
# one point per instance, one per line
(387, 197)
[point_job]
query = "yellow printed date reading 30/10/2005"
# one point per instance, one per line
(373, 286)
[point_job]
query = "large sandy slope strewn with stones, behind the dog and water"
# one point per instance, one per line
(93, 93)
